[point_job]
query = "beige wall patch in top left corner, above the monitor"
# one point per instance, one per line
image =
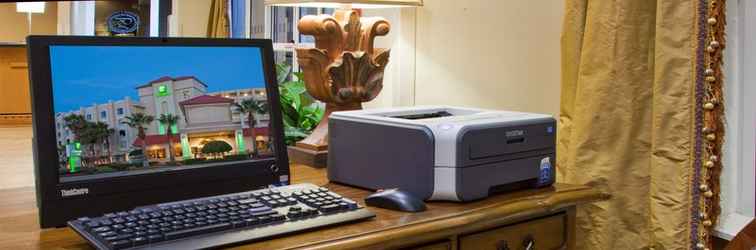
(14, 26)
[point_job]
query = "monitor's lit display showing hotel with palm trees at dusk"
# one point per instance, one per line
(130, 110)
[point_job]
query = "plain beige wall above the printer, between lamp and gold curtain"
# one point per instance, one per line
(489, 54)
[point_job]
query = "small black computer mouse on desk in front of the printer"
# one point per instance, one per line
(395, 199)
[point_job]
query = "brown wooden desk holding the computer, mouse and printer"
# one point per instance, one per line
(548, 215)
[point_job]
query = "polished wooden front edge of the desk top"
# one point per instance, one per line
(473, 220)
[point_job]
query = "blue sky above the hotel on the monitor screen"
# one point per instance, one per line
(83, 75)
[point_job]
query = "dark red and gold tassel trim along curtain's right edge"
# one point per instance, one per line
(709, 122)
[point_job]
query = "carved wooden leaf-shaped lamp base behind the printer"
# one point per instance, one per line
(343, 70)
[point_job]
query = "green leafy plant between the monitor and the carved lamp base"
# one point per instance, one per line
(300, 111)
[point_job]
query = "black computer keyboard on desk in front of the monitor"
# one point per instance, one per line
(220, 220)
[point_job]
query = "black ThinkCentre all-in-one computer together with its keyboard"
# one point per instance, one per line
(166, 143)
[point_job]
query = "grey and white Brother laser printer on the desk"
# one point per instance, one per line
(441, 152)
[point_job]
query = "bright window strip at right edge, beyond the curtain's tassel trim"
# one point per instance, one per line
(737, 180)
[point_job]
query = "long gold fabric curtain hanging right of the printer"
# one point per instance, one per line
(630, 119)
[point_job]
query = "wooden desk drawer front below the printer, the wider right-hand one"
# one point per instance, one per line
(546, 234)
